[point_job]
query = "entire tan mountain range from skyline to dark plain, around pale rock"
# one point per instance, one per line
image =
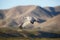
(47, 18)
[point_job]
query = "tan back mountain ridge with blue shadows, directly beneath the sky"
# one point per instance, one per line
(15, 16)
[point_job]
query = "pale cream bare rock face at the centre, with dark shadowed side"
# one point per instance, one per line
(28, 22)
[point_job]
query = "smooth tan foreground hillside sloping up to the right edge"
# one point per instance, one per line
(51, 25)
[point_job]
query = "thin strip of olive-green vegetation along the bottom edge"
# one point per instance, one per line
(18, 38)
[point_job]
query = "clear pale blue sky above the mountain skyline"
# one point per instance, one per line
(6, 4)
